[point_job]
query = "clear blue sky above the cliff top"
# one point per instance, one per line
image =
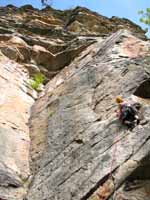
(120, 8)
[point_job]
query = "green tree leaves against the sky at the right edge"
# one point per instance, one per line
(145, 17)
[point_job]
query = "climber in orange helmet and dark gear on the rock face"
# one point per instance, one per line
(128, 113)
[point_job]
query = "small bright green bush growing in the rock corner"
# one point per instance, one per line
(37, 80)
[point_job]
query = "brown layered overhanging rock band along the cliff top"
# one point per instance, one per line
(47, 40)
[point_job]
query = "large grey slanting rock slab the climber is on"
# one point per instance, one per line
(73, 150)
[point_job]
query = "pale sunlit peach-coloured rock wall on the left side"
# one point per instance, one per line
(15, 103)
